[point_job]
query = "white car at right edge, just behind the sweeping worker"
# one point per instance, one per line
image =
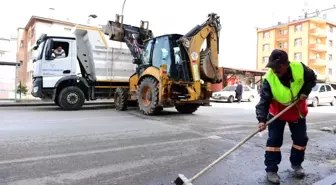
(322, 93)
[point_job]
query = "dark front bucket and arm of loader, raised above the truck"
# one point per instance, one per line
(133, 36)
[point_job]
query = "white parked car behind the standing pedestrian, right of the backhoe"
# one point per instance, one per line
(228, 93)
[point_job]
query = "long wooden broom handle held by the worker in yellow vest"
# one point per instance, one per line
(241, 143)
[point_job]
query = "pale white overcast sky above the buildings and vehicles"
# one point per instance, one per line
(238, 18)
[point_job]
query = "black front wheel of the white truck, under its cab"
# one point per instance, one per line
(71, 98)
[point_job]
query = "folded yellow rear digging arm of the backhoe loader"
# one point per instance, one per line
(204, 64)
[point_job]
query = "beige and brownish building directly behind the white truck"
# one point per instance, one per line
(27, 37)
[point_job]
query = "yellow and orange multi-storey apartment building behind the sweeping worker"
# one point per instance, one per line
(310, 41)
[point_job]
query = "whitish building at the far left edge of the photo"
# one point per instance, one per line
(7, 73)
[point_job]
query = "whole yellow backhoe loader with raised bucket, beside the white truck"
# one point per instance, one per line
(171, 69)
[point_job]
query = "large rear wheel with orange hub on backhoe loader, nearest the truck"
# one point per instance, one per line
(148, 96)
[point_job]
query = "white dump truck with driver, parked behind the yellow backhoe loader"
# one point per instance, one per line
(84, 67)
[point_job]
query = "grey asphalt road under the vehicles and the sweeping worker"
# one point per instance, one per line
(99, 145)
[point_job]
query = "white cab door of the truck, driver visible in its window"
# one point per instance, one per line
(57, 61)
